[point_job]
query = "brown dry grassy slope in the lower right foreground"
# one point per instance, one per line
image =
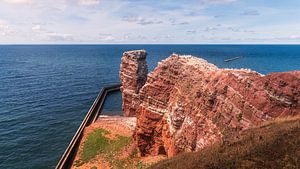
(274, 144)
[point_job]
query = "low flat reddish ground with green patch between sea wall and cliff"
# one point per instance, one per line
(108, 144)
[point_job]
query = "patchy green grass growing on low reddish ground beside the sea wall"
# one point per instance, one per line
(97, 143)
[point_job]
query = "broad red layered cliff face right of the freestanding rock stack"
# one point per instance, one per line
(187, 104)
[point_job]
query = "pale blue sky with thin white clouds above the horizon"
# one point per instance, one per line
(149, 22)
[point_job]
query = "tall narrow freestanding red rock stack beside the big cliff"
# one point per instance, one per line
(133, 75)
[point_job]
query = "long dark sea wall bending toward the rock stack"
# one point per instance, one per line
(67, 158)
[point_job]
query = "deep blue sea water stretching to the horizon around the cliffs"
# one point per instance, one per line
(46, 90)
